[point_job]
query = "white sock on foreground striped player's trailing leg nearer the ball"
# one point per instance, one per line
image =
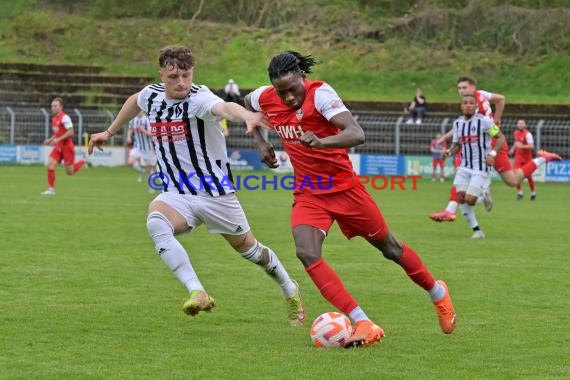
(266, 258)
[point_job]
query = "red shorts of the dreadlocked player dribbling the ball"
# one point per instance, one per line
(354, 210)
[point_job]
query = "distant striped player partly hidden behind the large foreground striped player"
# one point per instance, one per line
(142, 153)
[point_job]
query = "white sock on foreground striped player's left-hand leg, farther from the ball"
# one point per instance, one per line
(171, 251)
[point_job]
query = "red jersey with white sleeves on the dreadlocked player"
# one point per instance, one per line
(315, 170)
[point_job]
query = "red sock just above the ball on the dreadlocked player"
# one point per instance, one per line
(330, 286)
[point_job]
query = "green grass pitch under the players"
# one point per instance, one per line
(83, 295)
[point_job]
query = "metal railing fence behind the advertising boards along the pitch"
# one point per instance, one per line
(385, 134)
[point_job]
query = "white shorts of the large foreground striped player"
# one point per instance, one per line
(221, 215)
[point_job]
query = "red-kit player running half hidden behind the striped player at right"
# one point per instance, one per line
(511, 177)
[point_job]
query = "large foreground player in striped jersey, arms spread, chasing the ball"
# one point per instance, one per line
(191, 152)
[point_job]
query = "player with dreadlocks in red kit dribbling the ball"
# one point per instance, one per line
(316, 129)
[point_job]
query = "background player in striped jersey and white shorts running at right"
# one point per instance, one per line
(472, 133)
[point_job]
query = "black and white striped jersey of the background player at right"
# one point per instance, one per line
(473, 136)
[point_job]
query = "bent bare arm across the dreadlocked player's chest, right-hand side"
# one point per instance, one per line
(350, 136)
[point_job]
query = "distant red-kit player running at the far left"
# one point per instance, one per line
(63, 150)
